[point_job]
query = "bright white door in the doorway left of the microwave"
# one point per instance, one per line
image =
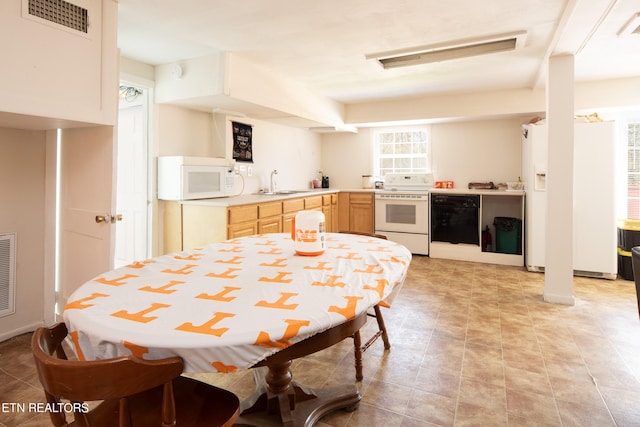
(132, 199)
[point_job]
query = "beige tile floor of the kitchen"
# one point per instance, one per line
(472, 345)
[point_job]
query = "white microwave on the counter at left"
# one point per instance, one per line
(188, 178)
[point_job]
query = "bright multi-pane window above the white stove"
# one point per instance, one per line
(404, 150)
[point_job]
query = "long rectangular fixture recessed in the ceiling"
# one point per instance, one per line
(450, 50)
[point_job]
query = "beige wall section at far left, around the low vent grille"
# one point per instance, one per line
(22, 186)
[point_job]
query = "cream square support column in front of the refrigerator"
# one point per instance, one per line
(558, 285)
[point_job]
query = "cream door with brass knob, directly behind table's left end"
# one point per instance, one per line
(86, 191)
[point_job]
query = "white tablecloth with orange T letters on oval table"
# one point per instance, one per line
(229, 305)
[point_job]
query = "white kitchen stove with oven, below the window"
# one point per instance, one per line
(402, 210)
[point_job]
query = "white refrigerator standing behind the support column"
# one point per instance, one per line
(594, 207)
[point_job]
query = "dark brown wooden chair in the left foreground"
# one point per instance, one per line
(134, 392)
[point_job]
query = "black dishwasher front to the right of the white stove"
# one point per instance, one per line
(454, 218)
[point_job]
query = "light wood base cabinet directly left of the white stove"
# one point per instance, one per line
(356, 212)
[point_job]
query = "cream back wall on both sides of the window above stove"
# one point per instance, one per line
(463, 152)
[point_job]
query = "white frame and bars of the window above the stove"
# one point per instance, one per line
(397, 131)
